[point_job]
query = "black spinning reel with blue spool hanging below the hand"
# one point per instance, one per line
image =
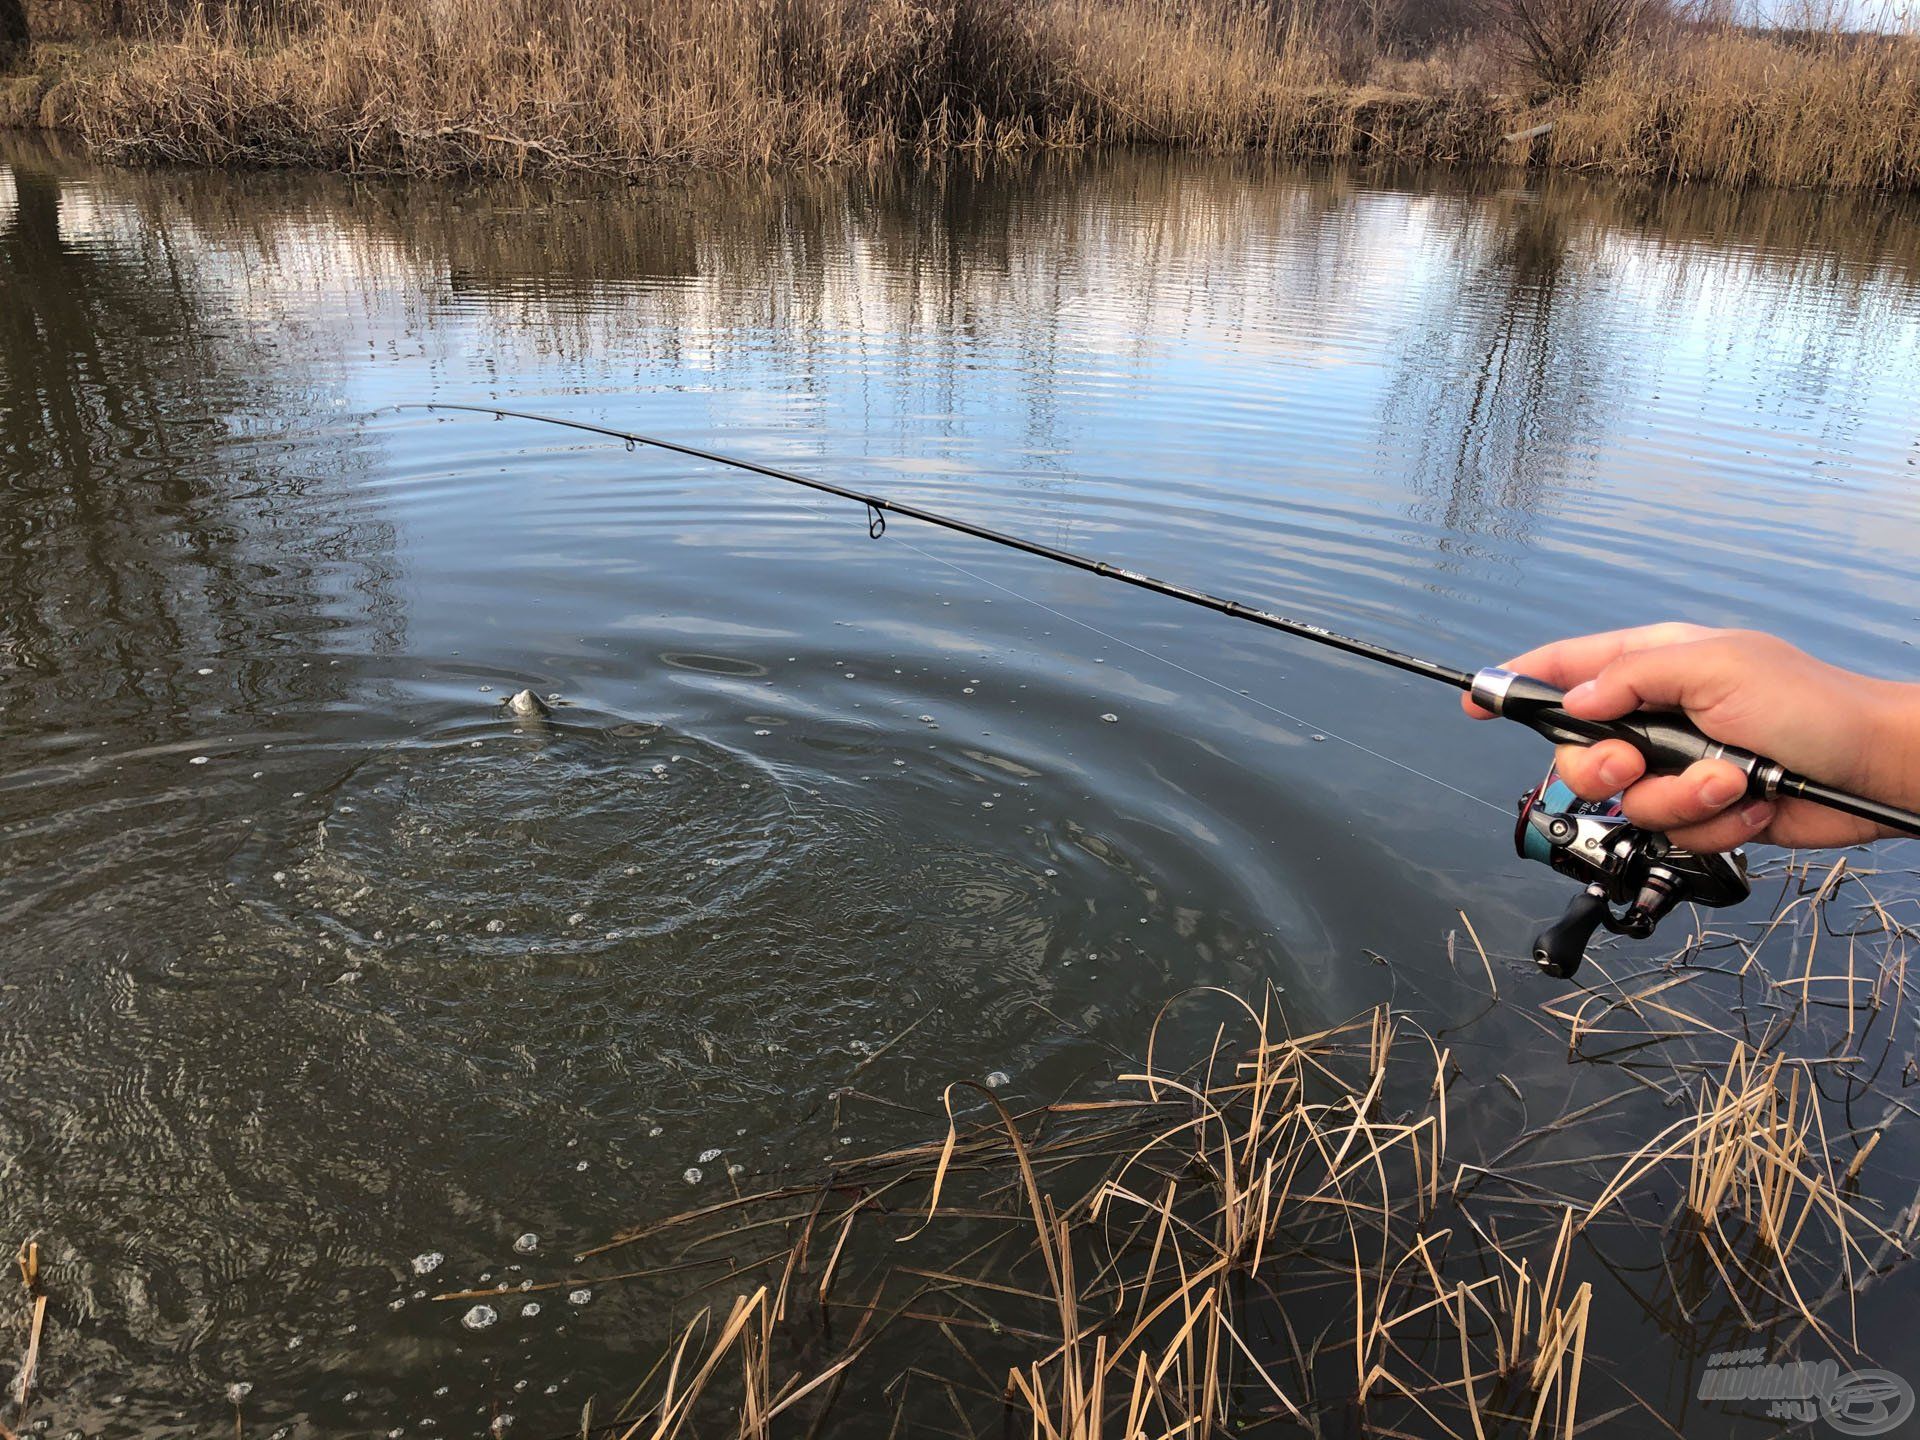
(1633, 876)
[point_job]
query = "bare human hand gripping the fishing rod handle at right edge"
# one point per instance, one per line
(1740, 688)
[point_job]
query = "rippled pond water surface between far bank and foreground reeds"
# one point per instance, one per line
(312, 963)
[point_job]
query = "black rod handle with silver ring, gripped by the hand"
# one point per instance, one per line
(1669, 744)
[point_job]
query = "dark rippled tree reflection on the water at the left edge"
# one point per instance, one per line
(118, 360)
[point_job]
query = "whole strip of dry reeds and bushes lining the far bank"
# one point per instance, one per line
(592, 85)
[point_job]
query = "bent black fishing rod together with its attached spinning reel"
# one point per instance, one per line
(1633, 876)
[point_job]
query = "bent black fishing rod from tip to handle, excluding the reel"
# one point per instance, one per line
(1669, 742)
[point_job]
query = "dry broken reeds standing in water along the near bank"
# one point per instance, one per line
(1307, 1232)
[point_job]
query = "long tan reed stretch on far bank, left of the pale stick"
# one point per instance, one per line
(521, 85)
